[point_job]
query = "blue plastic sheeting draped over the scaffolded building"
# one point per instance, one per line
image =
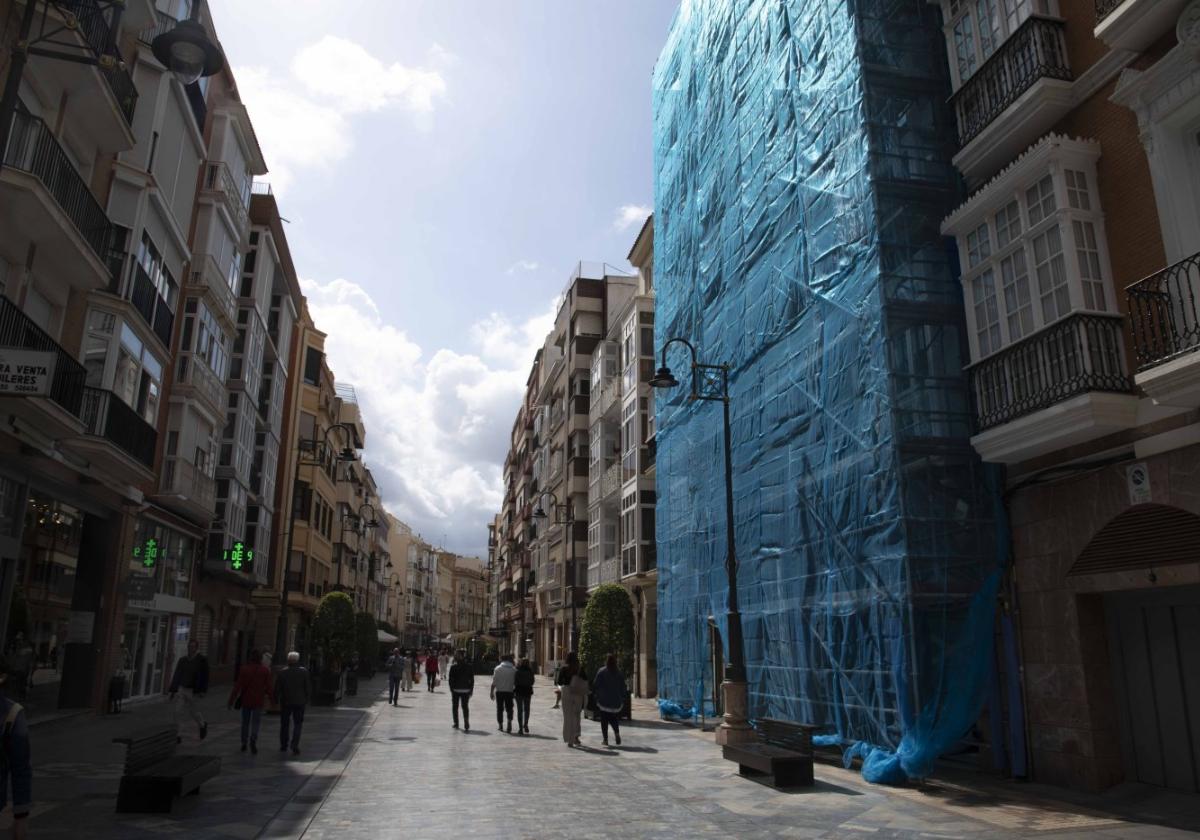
(802, 170)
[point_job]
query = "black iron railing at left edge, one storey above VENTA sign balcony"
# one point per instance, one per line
(33, 149)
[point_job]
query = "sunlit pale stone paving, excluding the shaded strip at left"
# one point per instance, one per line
(411, 775)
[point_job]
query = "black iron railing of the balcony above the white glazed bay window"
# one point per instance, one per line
(1036, 51)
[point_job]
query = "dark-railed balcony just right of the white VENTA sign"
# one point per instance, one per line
(117, 440)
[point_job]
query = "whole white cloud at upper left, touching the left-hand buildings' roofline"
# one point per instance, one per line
(305, 122)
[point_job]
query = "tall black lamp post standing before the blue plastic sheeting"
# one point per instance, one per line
(712, 383)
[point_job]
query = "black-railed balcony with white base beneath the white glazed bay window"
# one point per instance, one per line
(1057, 388)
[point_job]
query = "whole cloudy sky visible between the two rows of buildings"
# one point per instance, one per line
(443, 165)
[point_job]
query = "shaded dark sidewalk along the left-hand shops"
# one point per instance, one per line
(77, 770)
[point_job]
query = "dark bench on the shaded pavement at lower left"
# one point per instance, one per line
(155, 776)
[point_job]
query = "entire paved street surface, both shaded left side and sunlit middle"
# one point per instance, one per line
(371, 771)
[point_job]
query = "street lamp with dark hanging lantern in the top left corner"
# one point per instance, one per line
(187, 51)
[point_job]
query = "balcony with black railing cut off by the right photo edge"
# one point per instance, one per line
(1166, 319)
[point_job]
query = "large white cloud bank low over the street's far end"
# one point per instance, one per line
(437, 424)
